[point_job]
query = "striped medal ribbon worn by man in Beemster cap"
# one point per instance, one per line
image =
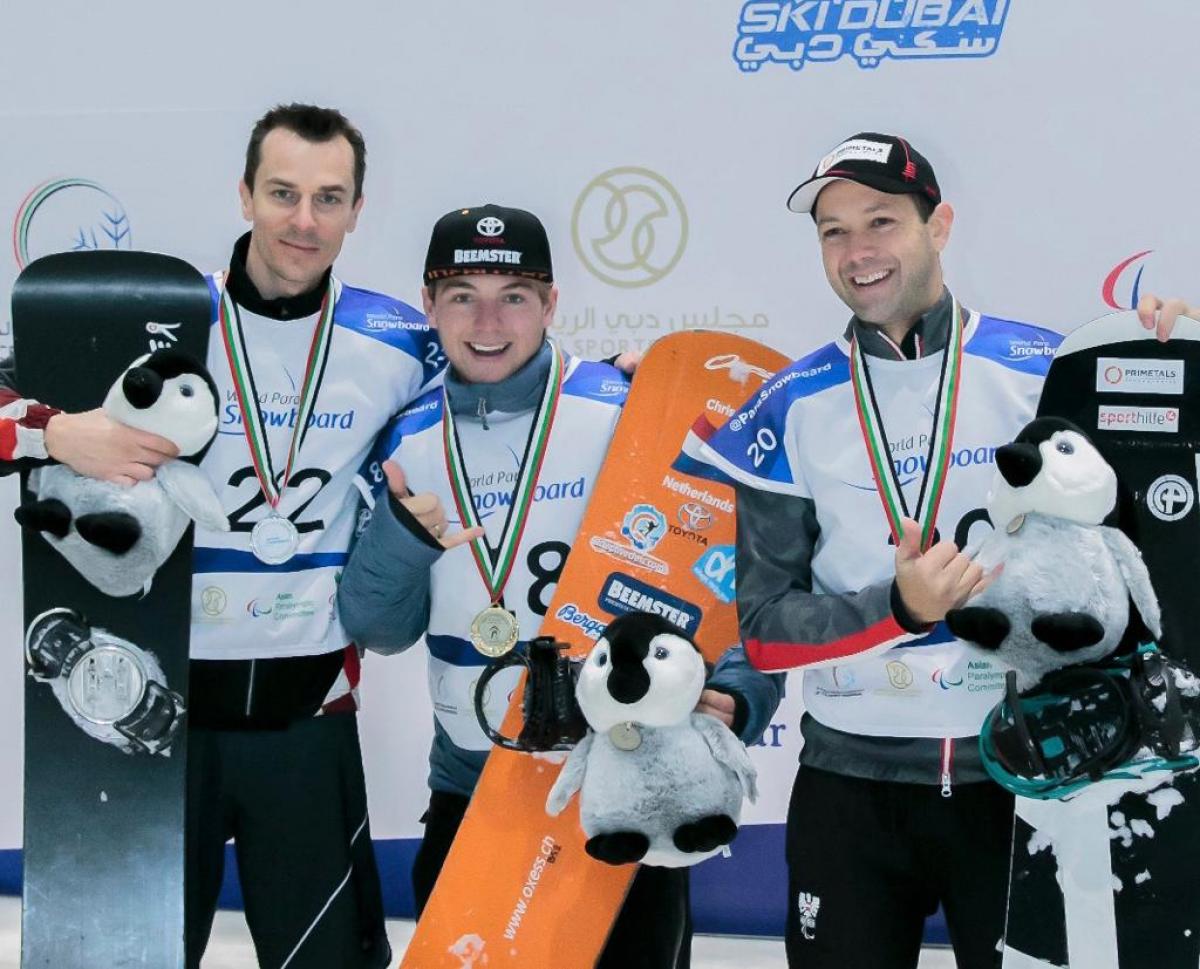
(495, 565)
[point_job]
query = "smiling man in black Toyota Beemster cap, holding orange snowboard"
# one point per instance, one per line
(517, 418)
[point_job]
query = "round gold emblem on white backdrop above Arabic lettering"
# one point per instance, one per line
(629, 227)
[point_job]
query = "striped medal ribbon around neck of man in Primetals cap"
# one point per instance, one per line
(938, 461)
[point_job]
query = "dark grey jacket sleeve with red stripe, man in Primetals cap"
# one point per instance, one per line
(783, 623)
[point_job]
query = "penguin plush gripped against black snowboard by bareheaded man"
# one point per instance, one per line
(118, 537)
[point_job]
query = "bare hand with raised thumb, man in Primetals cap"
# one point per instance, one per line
(932, 583)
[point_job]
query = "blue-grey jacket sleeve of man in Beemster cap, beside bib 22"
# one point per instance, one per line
(383, 599)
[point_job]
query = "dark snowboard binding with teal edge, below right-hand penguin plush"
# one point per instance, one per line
(1127, 718)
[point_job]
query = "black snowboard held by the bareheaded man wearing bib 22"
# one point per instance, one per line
(104, 852)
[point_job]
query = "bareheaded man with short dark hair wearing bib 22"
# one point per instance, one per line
(309, 370)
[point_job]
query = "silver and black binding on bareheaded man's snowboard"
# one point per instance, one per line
(111, 689)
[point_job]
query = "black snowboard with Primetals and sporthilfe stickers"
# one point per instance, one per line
(1126, 895)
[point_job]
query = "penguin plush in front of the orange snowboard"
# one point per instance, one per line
(659, 784)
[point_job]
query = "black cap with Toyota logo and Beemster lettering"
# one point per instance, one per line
(491, 239)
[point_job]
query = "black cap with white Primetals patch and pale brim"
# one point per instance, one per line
(884, 162)
